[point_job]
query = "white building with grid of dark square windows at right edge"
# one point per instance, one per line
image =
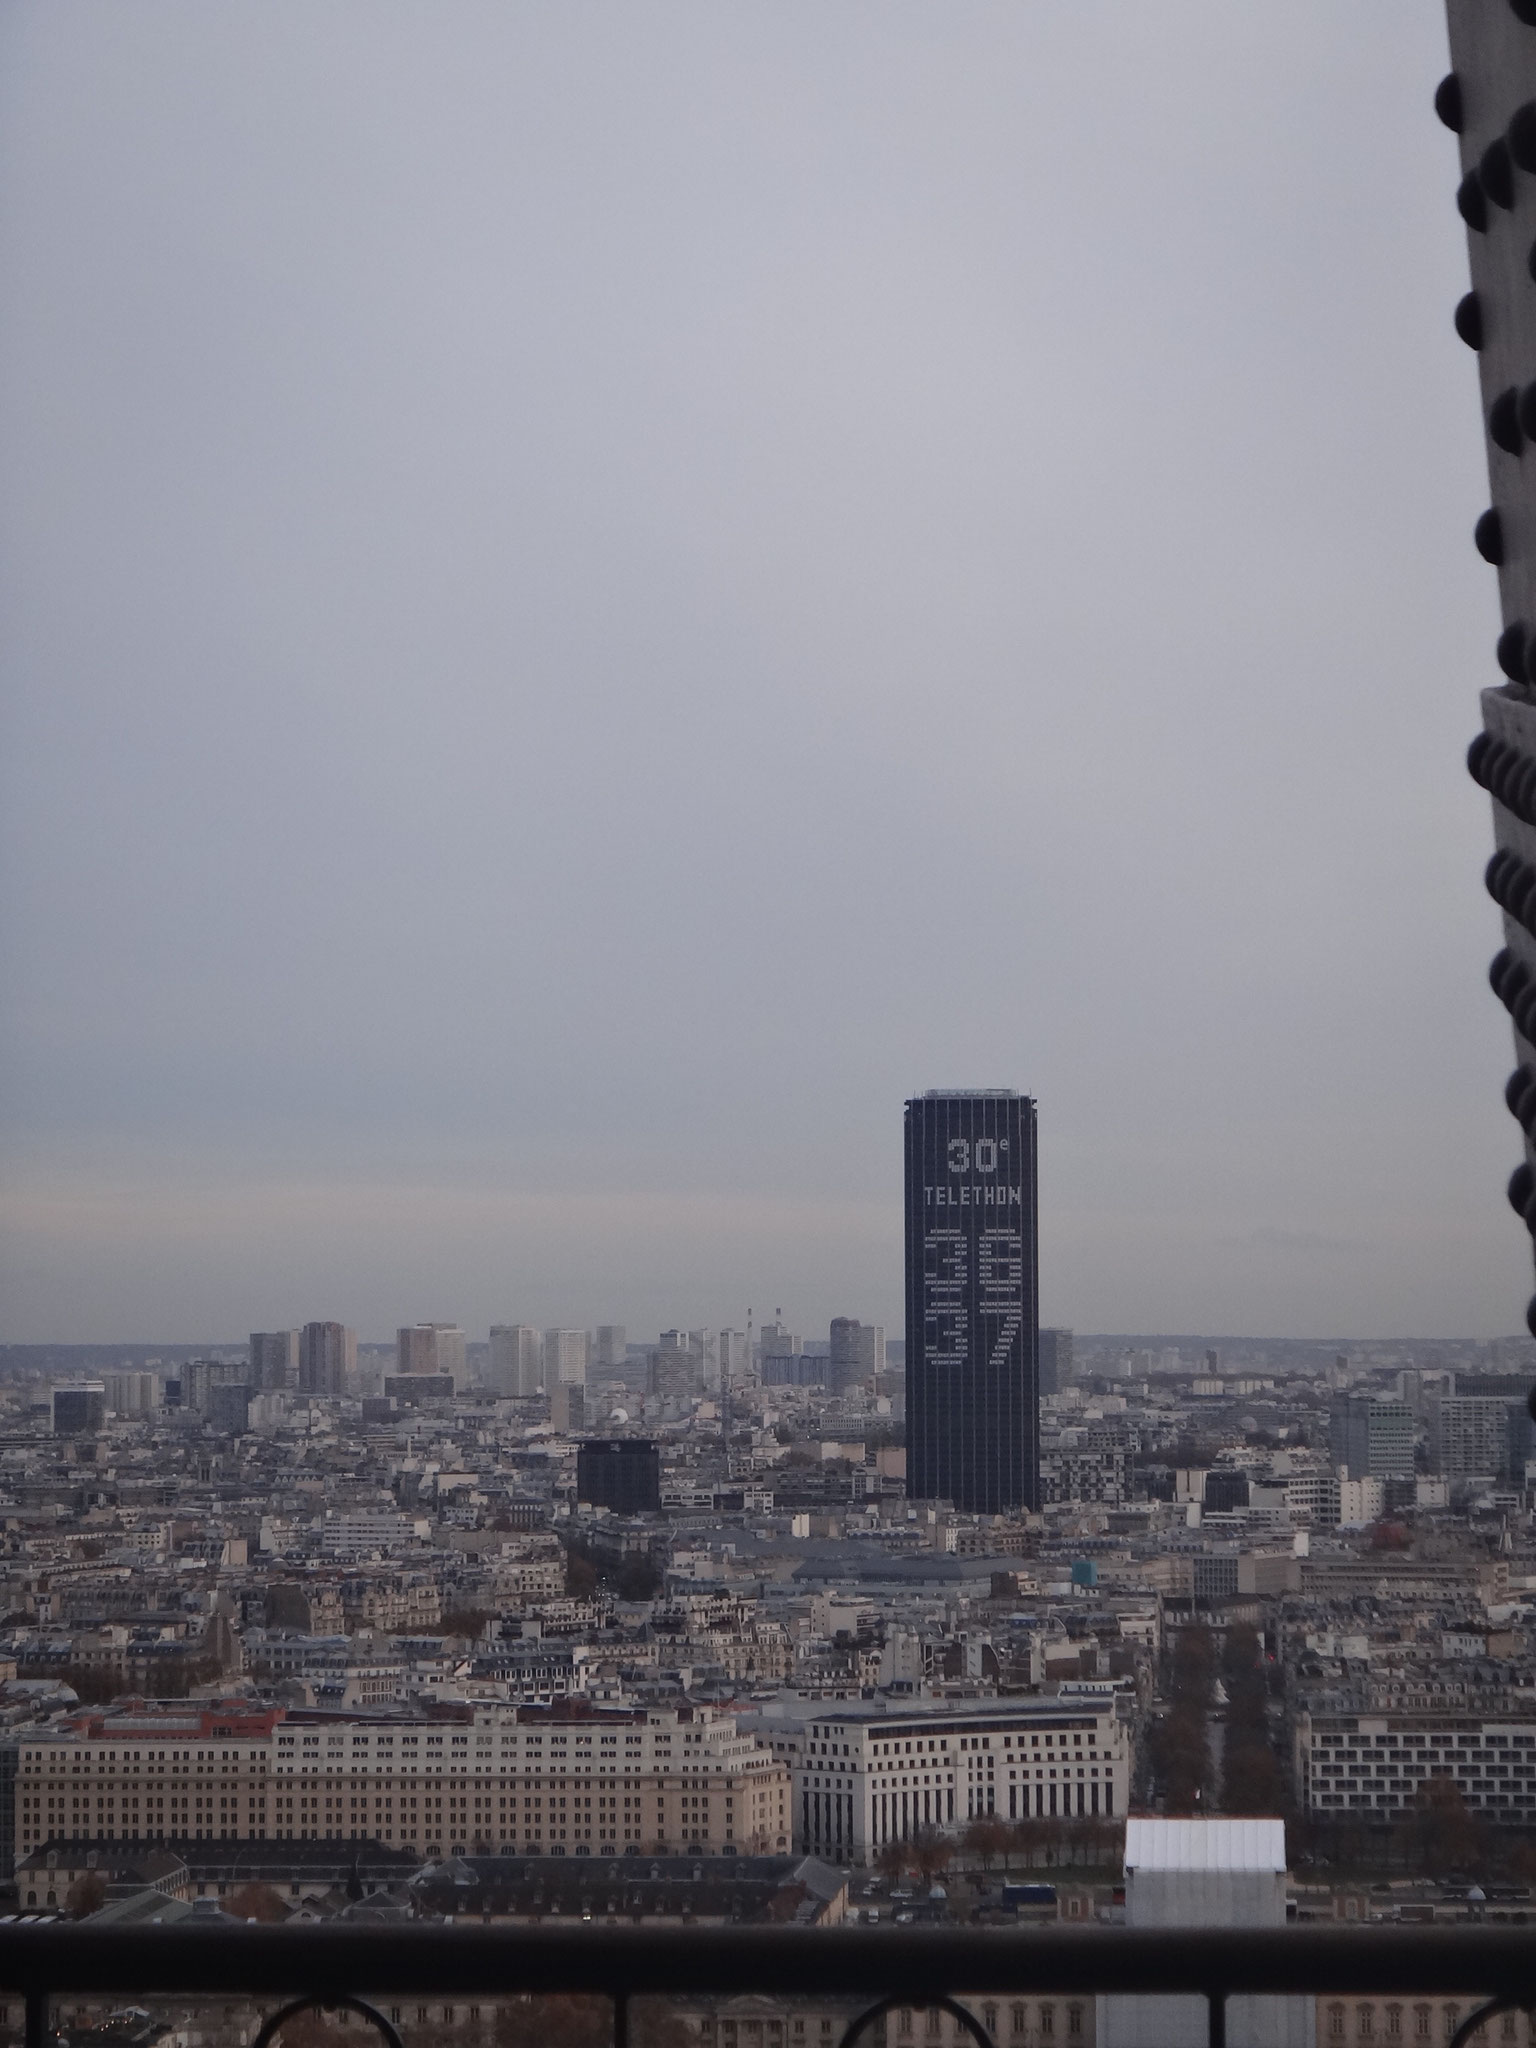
(1371, 1766)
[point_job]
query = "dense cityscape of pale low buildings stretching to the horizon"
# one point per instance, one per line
(568, 1623)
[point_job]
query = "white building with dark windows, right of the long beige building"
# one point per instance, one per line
(865, 1777)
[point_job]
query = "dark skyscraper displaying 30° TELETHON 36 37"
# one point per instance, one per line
(974, 1316)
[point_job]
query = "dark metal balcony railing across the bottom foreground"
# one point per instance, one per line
(882, 1967)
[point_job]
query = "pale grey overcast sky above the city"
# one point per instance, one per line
(593, 595)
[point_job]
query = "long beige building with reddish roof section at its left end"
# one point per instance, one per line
(564, 1781)
